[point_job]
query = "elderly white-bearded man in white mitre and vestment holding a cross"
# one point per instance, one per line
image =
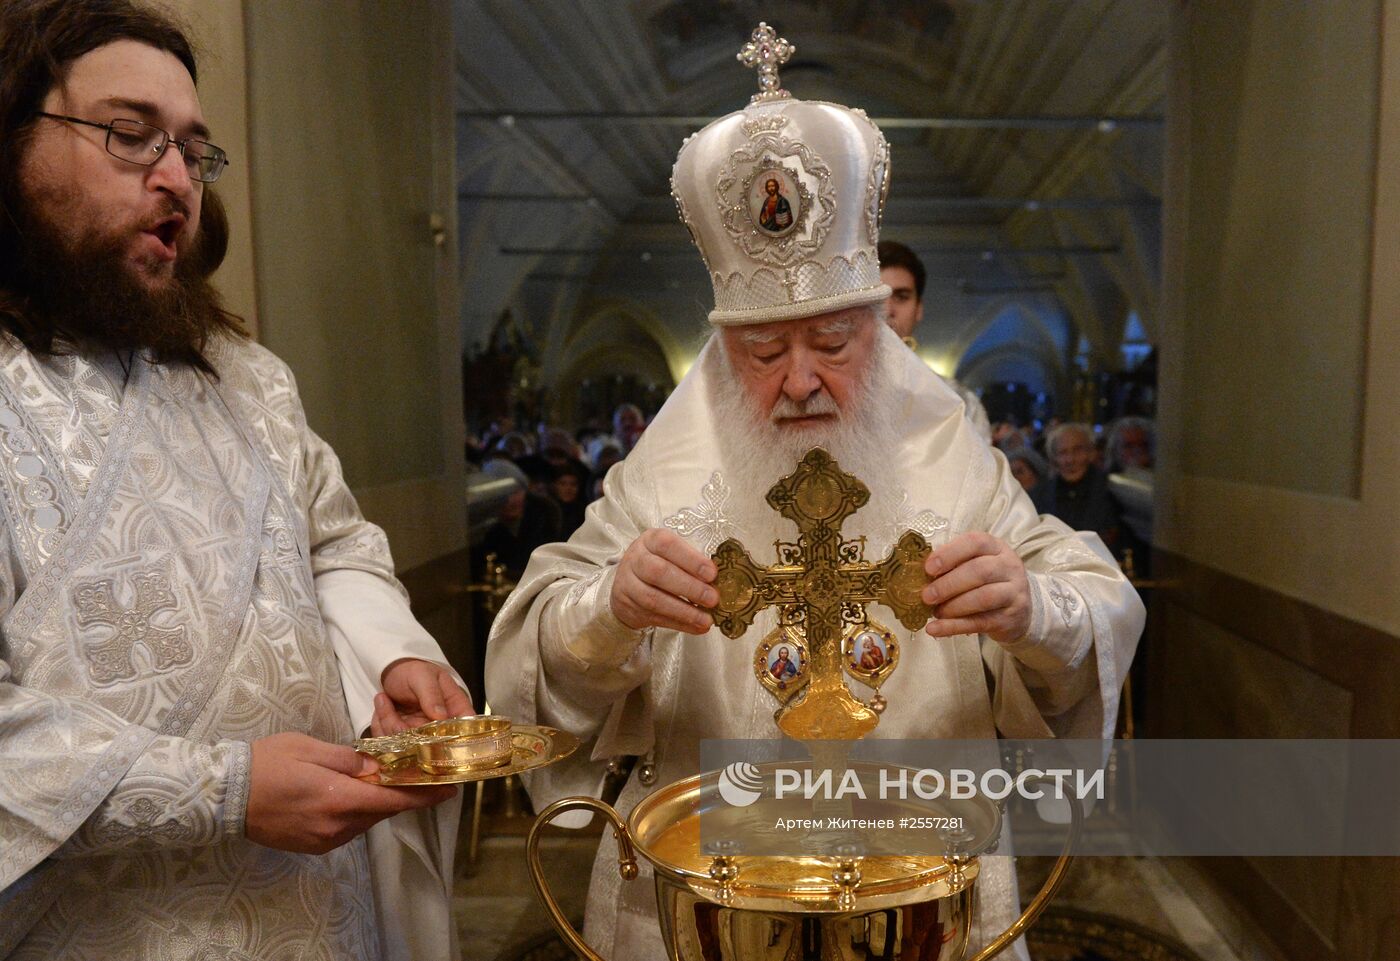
(611, 637)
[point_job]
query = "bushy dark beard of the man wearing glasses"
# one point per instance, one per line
(90, 298)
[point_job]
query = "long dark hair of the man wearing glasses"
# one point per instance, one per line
(40, 40)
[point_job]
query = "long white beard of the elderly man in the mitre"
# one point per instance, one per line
(758, 452)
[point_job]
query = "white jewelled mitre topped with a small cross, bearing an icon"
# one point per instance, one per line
(785, 201)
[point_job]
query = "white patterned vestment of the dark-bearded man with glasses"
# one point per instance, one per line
(183, 572)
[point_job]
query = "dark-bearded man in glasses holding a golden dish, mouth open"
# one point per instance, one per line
(195, 620)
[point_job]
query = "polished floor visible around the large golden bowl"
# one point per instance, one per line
(499, 915)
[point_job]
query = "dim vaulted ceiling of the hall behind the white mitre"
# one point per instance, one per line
(1027, 148)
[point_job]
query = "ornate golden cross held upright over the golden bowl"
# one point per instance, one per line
(822, 583)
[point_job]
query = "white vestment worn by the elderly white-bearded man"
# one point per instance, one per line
(558, 655)
